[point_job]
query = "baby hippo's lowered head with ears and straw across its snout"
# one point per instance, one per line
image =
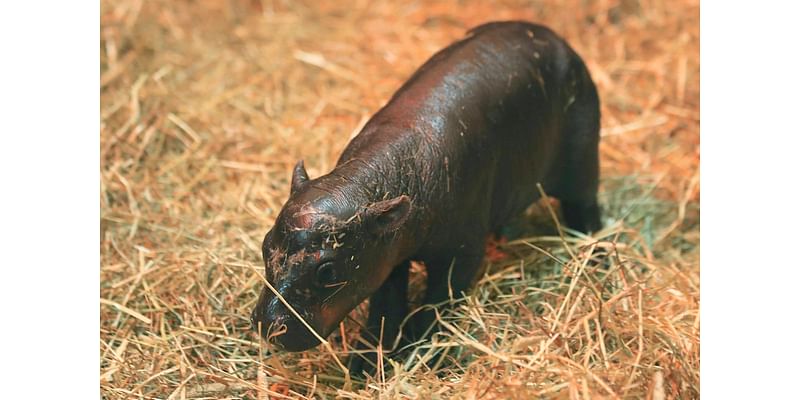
(326, 253)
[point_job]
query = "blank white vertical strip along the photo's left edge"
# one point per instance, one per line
(49, 198)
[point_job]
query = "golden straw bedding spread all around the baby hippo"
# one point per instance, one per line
(205, 106)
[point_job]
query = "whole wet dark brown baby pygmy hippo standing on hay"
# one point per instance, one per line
(456, 153)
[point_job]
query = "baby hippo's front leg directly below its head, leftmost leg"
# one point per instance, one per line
(388, 305)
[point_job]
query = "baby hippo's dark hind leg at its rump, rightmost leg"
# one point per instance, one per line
(578, 171)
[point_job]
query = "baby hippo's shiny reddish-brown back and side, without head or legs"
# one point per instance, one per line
(478, 125)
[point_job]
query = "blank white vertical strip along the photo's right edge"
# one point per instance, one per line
(750, 166)
